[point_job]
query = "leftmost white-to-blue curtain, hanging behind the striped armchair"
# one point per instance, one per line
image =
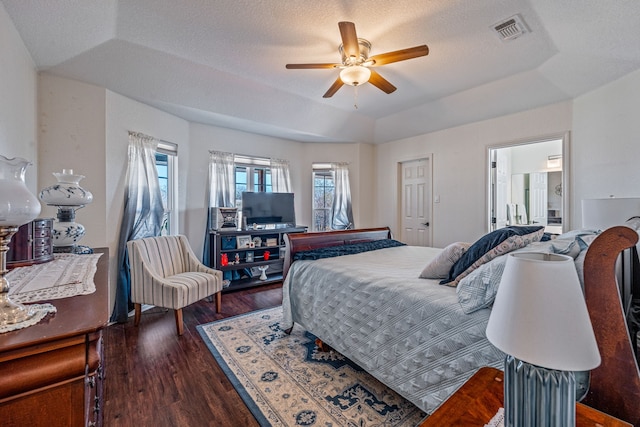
(143, 212)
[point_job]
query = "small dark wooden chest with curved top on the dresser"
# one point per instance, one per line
(32, 244)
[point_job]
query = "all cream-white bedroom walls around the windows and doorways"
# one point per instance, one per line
(83, 127)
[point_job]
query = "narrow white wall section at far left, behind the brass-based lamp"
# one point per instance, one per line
(18, 100)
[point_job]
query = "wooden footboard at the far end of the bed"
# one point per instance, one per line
(297, 242)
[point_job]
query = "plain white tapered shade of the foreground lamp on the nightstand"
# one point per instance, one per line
(540, 315)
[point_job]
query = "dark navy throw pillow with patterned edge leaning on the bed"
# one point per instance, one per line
(483, 249)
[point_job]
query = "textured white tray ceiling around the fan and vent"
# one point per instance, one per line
(223, 62)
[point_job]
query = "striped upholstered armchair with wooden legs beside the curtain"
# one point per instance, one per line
(166, 273)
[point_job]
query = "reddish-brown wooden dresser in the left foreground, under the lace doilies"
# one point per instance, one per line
(51, 374)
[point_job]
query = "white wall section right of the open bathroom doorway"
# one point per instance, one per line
(606, 143)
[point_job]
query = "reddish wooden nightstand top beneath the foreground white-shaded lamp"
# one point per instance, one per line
(479, 399)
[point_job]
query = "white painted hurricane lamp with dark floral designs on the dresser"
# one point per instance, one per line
(68, 196)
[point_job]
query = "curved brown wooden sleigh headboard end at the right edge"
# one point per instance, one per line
(615, 384)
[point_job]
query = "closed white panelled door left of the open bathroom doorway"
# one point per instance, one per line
(416, 202)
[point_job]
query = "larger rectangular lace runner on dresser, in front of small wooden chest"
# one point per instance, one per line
(66, 276)
